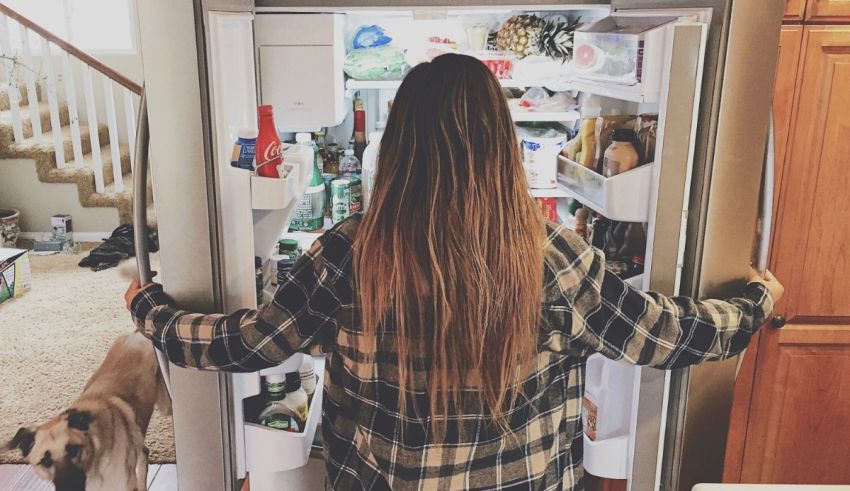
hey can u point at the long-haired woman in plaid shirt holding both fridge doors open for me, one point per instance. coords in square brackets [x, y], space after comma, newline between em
[456, 321]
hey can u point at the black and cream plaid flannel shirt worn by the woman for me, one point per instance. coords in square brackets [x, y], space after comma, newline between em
[368, 445]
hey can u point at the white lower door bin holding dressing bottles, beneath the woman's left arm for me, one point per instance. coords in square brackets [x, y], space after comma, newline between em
[267, 450]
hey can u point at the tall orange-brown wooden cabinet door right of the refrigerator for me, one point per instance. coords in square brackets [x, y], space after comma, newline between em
[799, 416]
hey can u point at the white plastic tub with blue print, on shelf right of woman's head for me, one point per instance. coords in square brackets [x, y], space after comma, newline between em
[540, 149]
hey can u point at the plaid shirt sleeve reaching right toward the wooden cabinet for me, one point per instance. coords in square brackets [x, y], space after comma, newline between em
[608, 316]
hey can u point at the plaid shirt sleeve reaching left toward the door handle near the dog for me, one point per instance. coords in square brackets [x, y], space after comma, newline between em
[299, 318]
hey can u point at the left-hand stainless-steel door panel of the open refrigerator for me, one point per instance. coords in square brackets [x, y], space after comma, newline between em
[185, 195]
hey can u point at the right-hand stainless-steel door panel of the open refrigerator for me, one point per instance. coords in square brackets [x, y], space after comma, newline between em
[720, 223]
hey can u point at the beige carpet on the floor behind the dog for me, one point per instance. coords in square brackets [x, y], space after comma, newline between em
[53, 338]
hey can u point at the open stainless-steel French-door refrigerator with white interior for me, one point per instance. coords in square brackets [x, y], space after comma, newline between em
[708, 72]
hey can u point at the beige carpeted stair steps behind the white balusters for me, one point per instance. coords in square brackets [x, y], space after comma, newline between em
[41, 150]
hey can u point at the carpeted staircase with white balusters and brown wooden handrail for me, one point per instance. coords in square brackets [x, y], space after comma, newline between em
[38, 122]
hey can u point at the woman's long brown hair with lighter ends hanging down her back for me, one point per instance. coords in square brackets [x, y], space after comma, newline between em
[451, 249]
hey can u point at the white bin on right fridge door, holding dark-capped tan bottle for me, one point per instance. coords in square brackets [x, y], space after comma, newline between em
[624, 197]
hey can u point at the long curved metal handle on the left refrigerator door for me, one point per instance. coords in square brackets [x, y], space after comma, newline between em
[140, 215]
